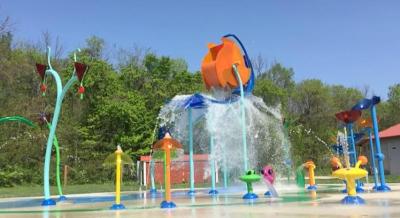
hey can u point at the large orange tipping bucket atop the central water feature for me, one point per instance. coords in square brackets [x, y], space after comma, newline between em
[216, 68]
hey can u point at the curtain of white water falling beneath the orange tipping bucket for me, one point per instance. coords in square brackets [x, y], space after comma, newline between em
[265, 136]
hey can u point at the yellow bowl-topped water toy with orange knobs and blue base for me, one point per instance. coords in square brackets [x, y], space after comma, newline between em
[350, 174]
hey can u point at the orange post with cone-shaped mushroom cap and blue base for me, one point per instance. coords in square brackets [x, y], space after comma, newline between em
[167, 145]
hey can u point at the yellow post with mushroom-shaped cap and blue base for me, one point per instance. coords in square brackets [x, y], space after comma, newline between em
[118, 159]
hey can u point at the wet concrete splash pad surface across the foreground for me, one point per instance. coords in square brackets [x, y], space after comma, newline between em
[291, 203]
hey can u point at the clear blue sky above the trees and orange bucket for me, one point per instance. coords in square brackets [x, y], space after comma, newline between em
[349, 42]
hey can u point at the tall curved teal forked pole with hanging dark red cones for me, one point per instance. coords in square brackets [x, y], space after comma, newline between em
[77, 76]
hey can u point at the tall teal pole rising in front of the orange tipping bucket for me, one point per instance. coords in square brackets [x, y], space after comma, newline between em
[243, 117]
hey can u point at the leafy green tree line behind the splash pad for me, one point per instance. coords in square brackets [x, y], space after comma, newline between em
[122, 101]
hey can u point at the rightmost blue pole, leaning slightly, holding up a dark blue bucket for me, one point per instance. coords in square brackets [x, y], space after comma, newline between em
[379, 155]
